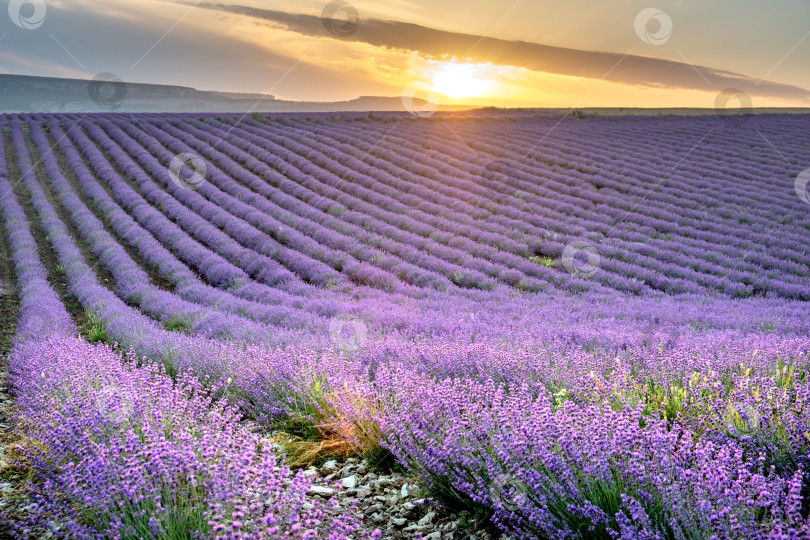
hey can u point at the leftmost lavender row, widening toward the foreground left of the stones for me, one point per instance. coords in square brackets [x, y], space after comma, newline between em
[96, 432]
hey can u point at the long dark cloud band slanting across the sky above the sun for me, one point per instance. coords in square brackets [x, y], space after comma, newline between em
[615, 67]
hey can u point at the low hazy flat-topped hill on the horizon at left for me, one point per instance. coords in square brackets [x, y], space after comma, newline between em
[23, 93]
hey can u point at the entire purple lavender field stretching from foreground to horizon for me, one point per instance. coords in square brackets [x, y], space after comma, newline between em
[559, 326]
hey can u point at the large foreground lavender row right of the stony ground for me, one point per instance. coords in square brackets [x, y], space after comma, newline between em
[557, 466]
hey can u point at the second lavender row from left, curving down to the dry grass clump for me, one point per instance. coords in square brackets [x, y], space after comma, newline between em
[262, 382]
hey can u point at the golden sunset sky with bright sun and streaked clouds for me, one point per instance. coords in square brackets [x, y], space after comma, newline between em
[509, 53]
